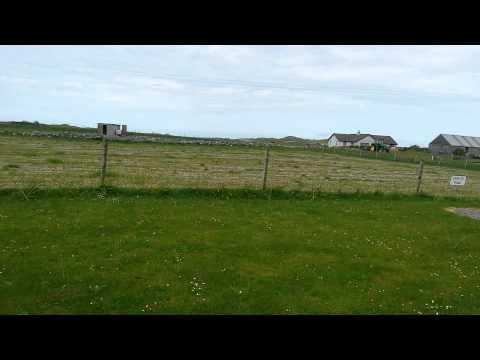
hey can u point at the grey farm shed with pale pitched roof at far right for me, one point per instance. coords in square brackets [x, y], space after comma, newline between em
[447, 144]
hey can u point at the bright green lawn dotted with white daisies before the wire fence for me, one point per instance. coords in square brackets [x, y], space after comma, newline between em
[235, 253]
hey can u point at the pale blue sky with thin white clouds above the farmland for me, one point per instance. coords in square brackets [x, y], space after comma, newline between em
[412, 93]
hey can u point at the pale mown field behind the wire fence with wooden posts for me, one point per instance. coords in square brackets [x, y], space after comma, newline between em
[54, 163]
